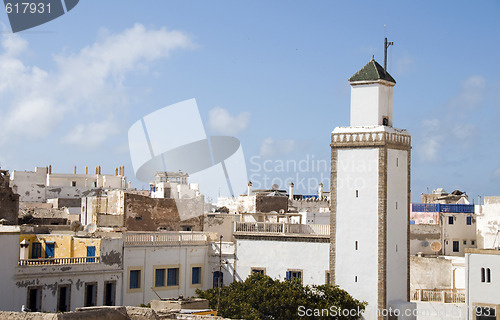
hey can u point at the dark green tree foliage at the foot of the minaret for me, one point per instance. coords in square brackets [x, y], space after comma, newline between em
[260, 297]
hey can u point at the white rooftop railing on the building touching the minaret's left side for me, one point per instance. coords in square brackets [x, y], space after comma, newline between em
[282, 228]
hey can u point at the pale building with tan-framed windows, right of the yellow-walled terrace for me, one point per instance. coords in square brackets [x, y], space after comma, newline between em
[172, 264]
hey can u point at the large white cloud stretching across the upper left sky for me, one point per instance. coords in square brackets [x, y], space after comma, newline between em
[81, 85]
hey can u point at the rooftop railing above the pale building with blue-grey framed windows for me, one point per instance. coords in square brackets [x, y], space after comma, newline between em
[164, 239]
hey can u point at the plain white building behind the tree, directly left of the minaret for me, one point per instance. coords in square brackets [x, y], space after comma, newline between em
[283, 251]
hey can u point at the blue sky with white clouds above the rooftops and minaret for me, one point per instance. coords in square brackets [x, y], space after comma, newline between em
[273, 74]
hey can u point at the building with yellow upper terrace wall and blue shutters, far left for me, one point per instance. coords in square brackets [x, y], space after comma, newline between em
[63, 279]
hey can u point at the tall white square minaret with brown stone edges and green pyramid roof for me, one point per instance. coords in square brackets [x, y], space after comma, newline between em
[370, 183]
